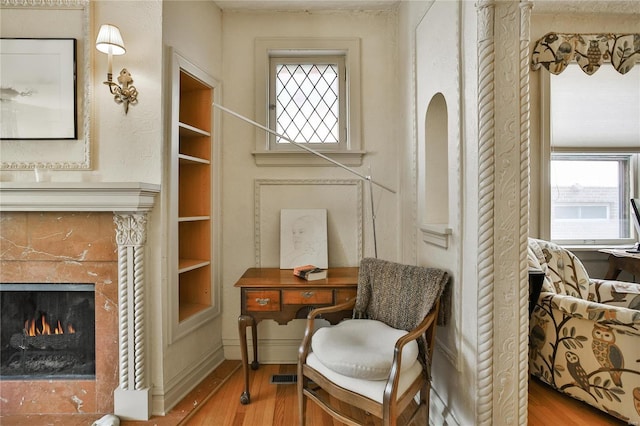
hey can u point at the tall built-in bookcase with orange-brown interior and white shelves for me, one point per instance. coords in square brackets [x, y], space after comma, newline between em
[192, 190]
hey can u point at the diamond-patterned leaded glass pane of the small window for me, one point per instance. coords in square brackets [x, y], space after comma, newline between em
[307, 102]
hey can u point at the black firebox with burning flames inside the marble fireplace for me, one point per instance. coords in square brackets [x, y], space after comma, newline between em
[47, 331]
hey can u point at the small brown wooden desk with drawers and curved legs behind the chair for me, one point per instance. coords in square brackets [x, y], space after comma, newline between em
[276, 294]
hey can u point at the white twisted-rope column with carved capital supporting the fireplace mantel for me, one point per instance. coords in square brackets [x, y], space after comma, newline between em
[132, 399]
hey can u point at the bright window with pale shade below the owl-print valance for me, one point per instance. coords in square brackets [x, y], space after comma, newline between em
[593, 146]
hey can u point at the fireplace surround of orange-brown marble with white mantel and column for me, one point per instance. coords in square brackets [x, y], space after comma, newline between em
[57, 232]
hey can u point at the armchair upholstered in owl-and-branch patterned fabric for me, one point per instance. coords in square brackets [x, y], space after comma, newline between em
[585, 334]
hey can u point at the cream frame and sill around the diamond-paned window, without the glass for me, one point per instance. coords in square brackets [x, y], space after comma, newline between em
[349, 153]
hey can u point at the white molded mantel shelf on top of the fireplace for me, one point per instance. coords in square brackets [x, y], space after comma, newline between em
[77, 196]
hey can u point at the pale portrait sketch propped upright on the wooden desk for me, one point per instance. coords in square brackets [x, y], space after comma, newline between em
[303, 238]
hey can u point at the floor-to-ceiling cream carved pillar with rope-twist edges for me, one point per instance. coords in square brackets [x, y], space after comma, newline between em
[503, 144]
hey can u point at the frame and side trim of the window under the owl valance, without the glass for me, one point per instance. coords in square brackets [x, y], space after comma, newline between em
[545, 173]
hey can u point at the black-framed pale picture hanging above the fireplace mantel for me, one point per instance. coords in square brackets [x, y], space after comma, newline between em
[38, 88]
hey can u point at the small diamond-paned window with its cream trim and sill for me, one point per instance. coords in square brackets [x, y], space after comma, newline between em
[308, 90]
